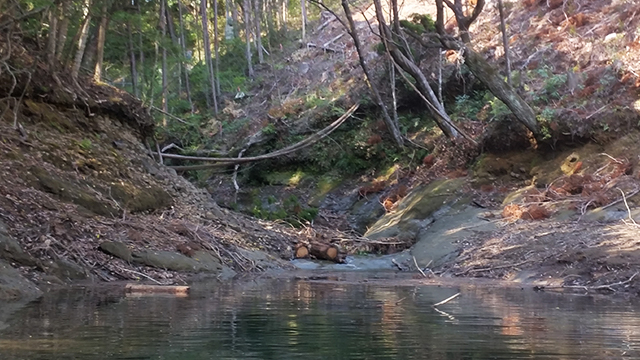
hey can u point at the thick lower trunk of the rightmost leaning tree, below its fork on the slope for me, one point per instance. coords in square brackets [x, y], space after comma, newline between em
[503, 91]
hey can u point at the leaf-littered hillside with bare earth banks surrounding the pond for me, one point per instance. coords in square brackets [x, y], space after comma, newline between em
[85, 196]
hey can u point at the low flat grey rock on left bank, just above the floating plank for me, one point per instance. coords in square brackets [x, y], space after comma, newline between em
[175, 261]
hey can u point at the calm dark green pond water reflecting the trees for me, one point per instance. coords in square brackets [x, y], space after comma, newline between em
[336, 317]
